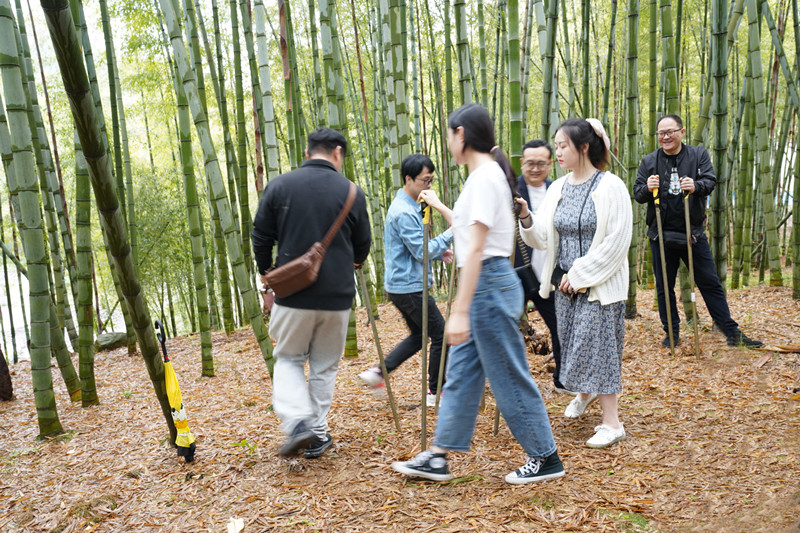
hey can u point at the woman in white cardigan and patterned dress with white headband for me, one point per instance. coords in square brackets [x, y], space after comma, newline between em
[585, 224]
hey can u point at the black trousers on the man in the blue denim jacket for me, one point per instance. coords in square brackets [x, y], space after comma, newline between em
[410, 307]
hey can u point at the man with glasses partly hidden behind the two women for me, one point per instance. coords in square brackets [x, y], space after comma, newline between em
[537, 160]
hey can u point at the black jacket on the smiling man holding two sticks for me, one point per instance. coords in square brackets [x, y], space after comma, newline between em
[692, 161]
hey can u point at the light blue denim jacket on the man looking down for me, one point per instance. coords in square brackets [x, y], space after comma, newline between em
[403, 245]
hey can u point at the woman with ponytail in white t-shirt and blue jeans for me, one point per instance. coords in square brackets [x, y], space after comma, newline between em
[483, 324]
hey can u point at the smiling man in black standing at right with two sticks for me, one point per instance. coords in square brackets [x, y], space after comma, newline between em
[677, 169]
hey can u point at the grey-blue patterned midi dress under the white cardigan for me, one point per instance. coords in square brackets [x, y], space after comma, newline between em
[591, 335]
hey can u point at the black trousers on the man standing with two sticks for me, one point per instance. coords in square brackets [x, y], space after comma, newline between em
[705, 277]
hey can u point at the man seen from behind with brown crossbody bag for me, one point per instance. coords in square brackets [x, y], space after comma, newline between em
[296, 210]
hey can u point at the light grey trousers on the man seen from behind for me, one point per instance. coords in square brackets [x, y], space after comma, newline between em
[314, 336]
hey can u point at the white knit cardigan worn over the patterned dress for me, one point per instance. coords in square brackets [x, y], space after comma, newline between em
[604, 267]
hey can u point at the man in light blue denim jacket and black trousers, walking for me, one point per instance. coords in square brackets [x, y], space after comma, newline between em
[403, 275]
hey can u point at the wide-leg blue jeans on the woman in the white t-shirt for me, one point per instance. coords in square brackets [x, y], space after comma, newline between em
[495, 351]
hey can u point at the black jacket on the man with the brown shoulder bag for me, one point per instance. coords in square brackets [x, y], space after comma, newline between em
[296, 210]
